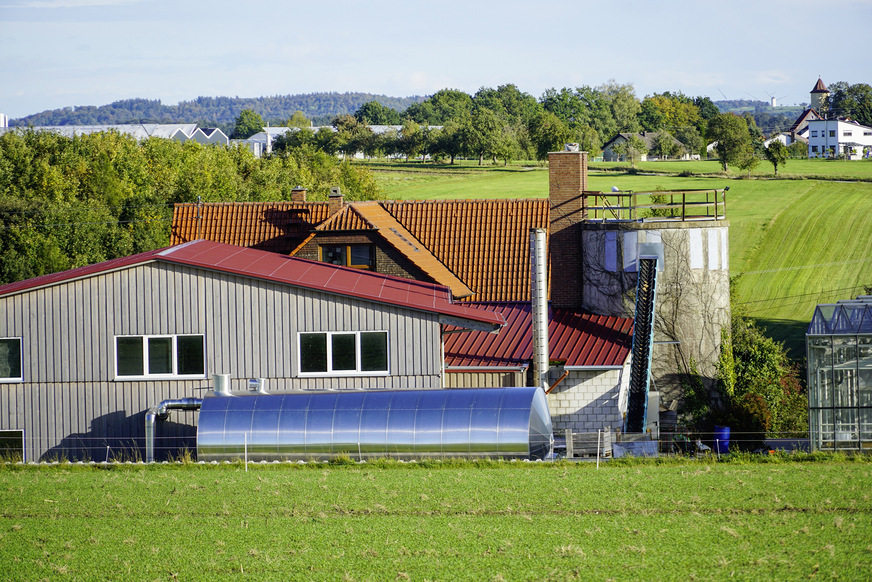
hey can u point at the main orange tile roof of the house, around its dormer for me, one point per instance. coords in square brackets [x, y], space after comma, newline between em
[483, 243]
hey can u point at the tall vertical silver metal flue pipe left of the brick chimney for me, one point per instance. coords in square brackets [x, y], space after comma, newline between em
[539, 293]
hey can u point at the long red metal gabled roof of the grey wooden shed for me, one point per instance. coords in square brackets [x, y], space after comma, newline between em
[269, 266]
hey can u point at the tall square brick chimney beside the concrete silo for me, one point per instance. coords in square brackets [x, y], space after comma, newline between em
[567, 180]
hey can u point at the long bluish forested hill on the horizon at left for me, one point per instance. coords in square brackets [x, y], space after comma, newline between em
[215, 111]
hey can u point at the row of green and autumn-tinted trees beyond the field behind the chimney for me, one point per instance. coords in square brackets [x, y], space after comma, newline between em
[506, 124]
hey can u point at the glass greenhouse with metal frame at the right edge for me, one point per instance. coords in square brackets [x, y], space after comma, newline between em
[839, 342]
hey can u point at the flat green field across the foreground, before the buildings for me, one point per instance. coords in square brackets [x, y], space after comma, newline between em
[682, 520]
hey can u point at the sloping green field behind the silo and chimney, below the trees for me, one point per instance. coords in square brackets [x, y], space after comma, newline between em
[794, 242]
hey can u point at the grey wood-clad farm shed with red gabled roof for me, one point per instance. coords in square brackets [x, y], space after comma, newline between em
[84, 353]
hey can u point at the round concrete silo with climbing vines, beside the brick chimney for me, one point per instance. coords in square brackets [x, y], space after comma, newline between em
[693, 295]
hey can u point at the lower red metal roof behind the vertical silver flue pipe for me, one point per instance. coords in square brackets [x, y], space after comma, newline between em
[579, 338]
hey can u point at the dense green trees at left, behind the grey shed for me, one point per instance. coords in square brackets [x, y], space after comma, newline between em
[67, 202]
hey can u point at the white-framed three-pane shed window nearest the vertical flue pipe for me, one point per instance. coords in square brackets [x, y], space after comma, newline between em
[356, 352]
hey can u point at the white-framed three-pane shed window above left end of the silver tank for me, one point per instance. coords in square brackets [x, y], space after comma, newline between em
[164, 356]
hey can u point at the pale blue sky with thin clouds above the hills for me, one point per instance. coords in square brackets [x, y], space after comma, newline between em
[60, 53]
